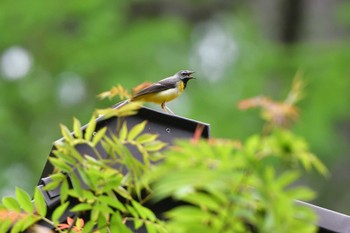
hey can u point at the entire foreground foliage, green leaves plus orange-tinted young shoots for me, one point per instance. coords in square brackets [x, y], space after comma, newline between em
[224, 185]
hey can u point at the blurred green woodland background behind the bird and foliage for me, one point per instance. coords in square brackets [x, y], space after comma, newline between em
[56, 56]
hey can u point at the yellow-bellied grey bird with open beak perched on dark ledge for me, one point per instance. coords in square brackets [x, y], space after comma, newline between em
[164, 90]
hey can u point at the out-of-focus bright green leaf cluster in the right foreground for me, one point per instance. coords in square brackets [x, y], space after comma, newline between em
[232, 188]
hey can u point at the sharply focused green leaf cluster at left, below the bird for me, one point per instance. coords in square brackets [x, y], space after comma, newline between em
[108, 196]
